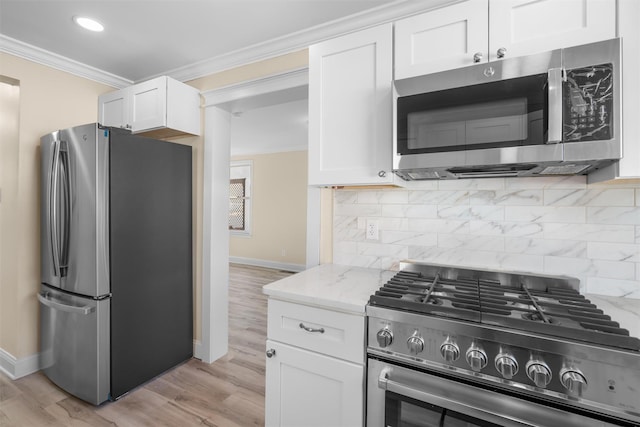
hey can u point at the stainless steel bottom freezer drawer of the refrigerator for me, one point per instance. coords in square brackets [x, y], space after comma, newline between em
[74, 341]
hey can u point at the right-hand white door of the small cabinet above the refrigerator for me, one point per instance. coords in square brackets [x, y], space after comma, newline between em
[149, 105]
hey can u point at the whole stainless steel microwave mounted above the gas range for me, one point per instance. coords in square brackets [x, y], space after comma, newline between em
[553, 113]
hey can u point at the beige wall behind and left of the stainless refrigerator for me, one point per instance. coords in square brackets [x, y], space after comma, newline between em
[49, 100]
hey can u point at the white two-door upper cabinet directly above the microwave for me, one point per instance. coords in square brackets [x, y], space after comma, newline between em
[486, 30]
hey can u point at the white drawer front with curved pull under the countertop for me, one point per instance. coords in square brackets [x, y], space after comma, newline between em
[324, 331]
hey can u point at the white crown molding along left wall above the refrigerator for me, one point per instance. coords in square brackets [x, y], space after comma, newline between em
[59, 62]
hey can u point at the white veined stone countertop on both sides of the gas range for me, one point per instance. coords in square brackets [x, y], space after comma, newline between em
[347, 289]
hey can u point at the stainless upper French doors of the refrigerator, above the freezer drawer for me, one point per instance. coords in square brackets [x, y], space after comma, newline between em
[74, 210]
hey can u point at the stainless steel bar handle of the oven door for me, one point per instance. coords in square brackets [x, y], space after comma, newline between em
[386, 383]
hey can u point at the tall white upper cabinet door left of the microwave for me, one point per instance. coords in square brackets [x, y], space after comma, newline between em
[350, 109]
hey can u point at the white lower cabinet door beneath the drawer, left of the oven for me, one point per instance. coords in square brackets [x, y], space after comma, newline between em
[308, 389]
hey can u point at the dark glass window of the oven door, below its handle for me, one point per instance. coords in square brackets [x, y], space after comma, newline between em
[402, 411]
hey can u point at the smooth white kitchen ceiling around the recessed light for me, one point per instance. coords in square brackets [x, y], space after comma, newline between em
[147, 38]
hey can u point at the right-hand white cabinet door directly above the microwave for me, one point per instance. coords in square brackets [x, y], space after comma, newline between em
[523, 27]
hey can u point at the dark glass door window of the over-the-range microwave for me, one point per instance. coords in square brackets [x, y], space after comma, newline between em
[503, 113]
